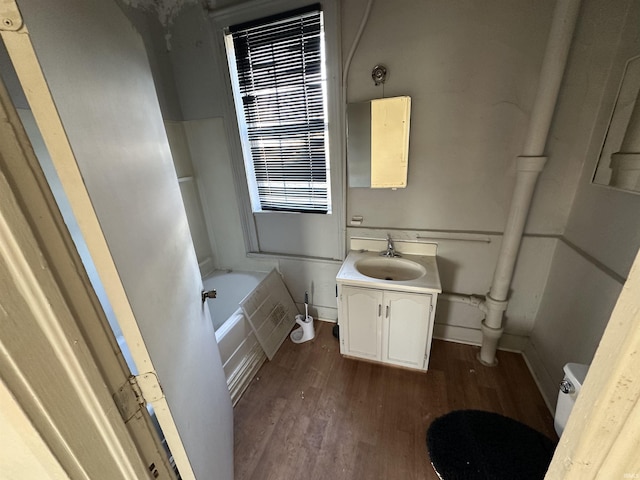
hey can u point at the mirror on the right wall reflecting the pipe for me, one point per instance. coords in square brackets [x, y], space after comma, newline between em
[619, 162]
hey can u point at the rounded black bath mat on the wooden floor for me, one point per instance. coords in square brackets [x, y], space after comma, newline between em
[472, 444]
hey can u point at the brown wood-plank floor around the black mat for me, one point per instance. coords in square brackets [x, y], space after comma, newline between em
[311, 414]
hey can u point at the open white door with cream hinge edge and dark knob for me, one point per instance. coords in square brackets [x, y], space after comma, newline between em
[86, 75]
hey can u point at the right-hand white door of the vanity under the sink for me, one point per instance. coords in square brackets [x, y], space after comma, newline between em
[406, 328]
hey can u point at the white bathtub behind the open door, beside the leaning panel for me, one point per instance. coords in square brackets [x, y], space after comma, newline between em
[240, 352]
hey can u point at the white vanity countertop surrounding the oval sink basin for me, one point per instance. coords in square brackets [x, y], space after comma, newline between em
[427, 283]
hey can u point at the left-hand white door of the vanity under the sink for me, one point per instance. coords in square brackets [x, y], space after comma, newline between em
[362, 325]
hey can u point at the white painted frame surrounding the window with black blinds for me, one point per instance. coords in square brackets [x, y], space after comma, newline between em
[252, 221]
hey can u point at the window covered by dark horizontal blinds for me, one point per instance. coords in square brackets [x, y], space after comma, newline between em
[277, 68]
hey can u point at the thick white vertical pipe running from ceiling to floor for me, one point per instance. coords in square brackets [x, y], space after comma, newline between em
[529, 166]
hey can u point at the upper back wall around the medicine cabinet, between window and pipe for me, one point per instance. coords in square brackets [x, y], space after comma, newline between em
[471, 69]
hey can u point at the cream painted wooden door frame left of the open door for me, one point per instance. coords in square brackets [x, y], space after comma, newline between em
[69, 368]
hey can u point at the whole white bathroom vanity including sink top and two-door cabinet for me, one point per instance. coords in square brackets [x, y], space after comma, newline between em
[387, 303]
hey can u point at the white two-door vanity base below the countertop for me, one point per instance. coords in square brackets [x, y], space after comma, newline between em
[387, 326]
